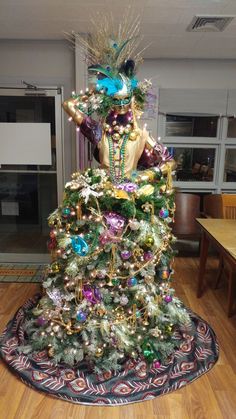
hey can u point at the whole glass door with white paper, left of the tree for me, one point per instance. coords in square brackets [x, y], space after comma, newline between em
[31, 171]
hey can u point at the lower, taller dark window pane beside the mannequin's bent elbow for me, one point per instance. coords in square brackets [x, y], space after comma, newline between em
[194, 164]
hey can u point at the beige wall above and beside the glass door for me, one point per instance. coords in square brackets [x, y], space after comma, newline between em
[43, 63]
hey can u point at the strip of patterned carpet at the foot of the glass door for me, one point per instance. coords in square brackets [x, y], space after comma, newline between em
[21, 272]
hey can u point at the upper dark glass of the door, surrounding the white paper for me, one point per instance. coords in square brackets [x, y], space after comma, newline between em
[30, 109]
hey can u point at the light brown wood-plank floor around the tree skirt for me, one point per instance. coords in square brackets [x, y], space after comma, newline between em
[211, 396]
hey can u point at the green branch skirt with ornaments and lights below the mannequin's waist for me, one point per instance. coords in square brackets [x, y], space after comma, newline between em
[107, 294]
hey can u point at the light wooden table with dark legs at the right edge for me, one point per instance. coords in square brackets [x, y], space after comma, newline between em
[222, 234]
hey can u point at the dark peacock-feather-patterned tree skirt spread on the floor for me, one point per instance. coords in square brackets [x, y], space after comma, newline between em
[135, 383]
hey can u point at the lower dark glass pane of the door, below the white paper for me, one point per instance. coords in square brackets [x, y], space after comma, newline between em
[26, 200]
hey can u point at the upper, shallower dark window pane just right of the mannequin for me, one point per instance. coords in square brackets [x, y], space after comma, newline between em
[191, 126]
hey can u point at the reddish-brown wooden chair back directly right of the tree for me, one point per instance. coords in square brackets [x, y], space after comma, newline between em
[187, 209]
